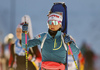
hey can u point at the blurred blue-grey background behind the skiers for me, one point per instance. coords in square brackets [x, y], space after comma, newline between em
[83, 22]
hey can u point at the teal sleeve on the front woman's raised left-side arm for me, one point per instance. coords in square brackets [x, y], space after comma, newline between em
[33, 42]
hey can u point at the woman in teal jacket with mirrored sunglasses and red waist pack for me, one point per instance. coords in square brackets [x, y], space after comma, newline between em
[53, 48]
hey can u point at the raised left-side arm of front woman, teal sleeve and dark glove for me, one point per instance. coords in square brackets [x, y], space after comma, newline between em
[33, 42]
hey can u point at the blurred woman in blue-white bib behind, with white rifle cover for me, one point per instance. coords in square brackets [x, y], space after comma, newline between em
[18, 53]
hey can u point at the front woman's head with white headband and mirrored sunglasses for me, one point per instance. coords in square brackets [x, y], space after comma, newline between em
[54, 21]
